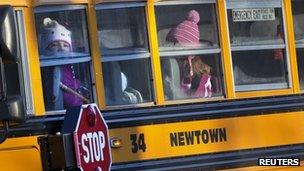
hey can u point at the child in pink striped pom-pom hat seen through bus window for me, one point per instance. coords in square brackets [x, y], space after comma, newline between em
[195, 75]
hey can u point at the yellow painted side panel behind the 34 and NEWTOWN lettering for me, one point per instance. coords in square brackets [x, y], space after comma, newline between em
[241, 133]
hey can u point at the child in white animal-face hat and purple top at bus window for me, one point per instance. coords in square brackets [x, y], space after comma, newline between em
[63, 88]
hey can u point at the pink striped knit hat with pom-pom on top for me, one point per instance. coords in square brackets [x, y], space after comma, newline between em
[187, 32]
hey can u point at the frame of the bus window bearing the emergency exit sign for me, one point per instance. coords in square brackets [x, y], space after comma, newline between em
[241, 90]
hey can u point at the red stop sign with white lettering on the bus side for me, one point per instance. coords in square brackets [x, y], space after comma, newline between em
[91, 140]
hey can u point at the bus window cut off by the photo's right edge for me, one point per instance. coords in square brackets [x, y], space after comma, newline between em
[298, 21]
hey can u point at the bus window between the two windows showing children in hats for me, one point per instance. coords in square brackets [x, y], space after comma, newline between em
[125, 53]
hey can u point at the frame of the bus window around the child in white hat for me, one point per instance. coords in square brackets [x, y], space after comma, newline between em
[45, 8]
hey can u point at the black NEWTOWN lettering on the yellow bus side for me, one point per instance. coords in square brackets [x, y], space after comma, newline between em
[204, 136]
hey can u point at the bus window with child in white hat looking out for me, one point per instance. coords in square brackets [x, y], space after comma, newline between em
[64, 56]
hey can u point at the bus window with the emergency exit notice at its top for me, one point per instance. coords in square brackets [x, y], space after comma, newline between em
[257, 43]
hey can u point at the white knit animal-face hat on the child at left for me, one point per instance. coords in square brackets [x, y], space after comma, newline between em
[52, 32]
